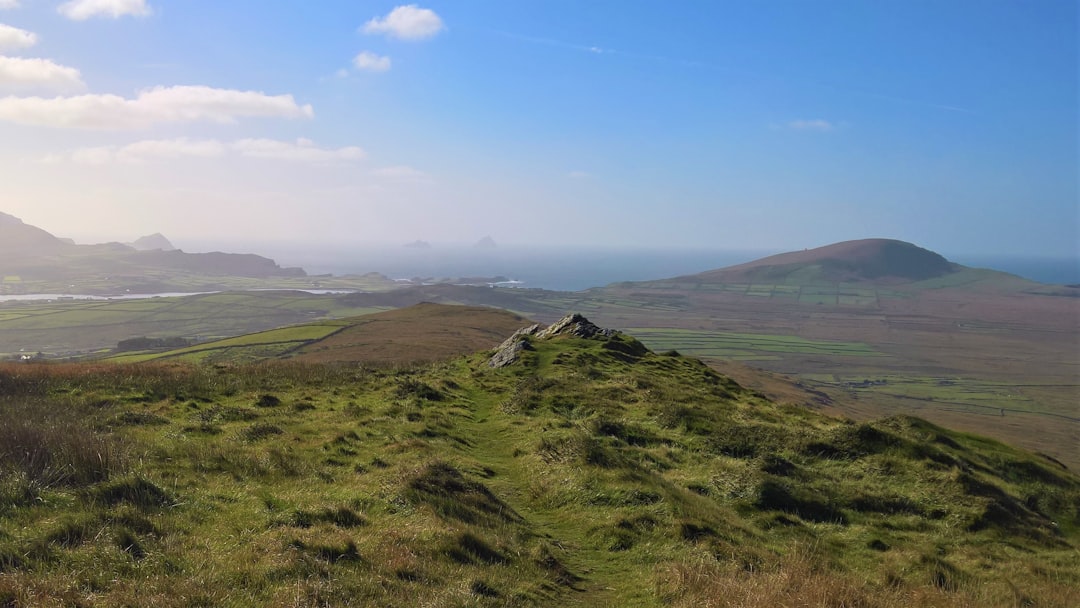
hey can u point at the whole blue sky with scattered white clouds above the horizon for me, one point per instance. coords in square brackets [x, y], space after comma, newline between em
[725, 125]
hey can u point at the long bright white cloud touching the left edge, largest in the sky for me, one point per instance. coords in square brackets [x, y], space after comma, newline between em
[154, 106]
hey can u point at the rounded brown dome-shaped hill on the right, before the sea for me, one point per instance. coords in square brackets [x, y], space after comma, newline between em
[869, 260]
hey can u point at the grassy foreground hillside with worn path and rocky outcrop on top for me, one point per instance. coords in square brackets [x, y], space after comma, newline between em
[583, 469]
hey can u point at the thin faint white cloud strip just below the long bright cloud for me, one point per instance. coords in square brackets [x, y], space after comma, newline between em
[302, 151]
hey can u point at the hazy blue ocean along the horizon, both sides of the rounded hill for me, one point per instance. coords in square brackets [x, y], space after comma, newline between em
[580, 268]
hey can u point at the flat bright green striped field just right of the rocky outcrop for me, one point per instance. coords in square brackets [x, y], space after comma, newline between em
[745, 347]
